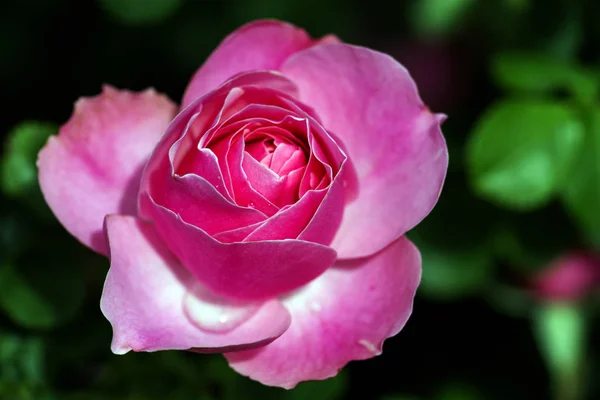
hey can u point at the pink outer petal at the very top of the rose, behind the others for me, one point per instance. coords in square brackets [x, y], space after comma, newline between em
[257, 45]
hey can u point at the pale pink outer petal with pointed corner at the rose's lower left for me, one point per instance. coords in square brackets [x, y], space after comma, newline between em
[144, 293]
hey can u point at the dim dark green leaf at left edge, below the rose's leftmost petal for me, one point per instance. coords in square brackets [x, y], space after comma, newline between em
[40, 294]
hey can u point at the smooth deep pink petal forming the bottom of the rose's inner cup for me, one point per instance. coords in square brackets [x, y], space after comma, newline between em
[250, 271]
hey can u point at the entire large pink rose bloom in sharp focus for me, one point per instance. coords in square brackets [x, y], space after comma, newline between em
[264, 217]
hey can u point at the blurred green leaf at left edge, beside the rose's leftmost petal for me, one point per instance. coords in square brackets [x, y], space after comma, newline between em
[17, 168]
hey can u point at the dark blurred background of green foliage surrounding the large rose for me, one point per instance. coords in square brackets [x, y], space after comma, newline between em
[508, 306]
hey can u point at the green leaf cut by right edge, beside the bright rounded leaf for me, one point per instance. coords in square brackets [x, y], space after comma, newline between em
[581, 194]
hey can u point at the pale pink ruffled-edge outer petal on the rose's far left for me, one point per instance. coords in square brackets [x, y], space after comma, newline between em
[93, 167]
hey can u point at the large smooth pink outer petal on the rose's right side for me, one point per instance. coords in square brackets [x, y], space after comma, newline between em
[394, 142]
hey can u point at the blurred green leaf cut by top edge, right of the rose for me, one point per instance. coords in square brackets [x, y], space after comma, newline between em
[437, 18]
